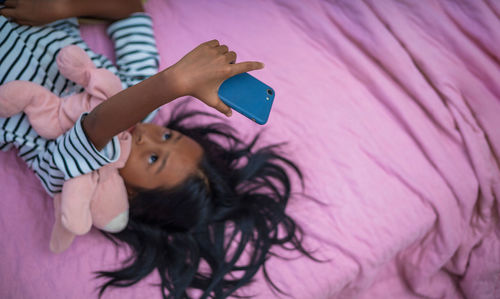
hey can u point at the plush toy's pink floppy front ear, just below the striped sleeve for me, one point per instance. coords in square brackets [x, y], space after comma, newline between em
[75, 203]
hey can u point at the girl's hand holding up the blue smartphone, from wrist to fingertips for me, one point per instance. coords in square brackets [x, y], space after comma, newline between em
[201, 72]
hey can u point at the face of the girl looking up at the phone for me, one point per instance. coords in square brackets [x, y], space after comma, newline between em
[160, 158]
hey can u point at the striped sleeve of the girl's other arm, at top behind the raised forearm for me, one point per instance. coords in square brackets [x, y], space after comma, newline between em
[135, 48]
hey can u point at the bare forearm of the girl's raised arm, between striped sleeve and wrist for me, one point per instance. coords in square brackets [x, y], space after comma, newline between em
[128, 107]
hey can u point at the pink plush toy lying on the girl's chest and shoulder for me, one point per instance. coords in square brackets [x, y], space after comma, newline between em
[99, 197]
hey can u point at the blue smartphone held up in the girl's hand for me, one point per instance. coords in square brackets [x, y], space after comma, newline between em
[249, 96]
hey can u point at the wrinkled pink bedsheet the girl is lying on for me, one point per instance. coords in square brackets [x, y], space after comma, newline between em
[392, 108]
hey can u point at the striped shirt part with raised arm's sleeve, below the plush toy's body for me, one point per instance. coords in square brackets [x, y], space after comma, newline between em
[55, 161]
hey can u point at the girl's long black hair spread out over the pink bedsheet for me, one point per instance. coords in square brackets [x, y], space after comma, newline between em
[215, 231]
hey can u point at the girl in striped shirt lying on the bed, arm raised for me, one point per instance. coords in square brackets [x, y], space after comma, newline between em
[186, 188]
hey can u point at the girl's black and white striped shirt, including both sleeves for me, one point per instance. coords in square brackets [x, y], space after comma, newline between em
[29, 53]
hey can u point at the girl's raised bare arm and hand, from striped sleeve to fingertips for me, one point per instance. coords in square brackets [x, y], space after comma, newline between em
[198, 74]
